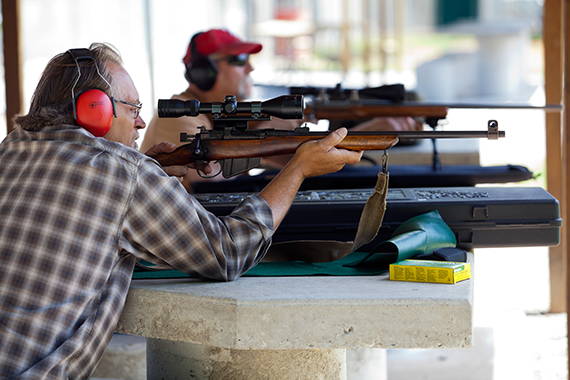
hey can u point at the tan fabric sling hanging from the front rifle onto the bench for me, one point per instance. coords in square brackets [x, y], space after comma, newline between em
[326, 250]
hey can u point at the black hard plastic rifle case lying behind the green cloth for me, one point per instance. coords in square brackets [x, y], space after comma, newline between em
[480, 217]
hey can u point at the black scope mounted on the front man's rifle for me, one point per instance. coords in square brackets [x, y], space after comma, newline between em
[284, 107]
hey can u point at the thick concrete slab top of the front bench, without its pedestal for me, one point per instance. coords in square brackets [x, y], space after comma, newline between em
[323, 312]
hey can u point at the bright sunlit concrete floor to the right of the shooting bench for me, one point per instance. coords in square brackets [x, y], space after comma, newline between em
[513, 336]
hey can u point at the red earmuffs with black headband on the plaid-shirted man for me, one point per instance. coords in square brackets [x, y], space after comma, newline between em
[93, 109]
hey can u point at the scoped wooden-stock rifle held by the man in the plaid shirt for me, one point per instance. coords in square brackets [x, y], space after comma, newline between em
[239, 149]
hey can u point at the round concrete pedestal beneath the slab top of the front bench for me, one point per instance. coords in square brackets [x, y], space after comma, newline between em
[180, 360]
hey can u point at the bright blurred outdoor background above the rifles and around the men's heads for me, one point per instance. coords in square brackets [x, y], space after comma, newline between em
[445, 50]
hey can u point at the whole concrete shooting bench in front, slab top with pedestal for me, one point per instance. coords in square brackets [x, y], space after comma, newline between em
[289, 327]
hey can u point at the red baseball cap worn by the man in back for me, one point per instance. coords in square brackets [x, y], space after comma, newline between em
[219, 41]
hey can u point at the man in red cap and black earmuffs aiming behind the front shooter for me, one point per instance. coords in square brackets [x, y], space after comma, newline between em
[217, 64]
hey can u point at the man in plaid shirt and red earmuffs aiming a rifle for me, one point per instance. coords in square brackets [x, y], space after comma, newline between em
[80, 205]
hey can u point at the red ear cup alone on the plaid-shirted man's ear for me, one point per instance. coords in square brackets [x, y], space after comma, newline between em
[95, 112]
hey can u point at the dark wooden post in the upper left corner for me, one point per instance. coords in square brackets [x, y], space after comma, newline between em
[12, 60]
